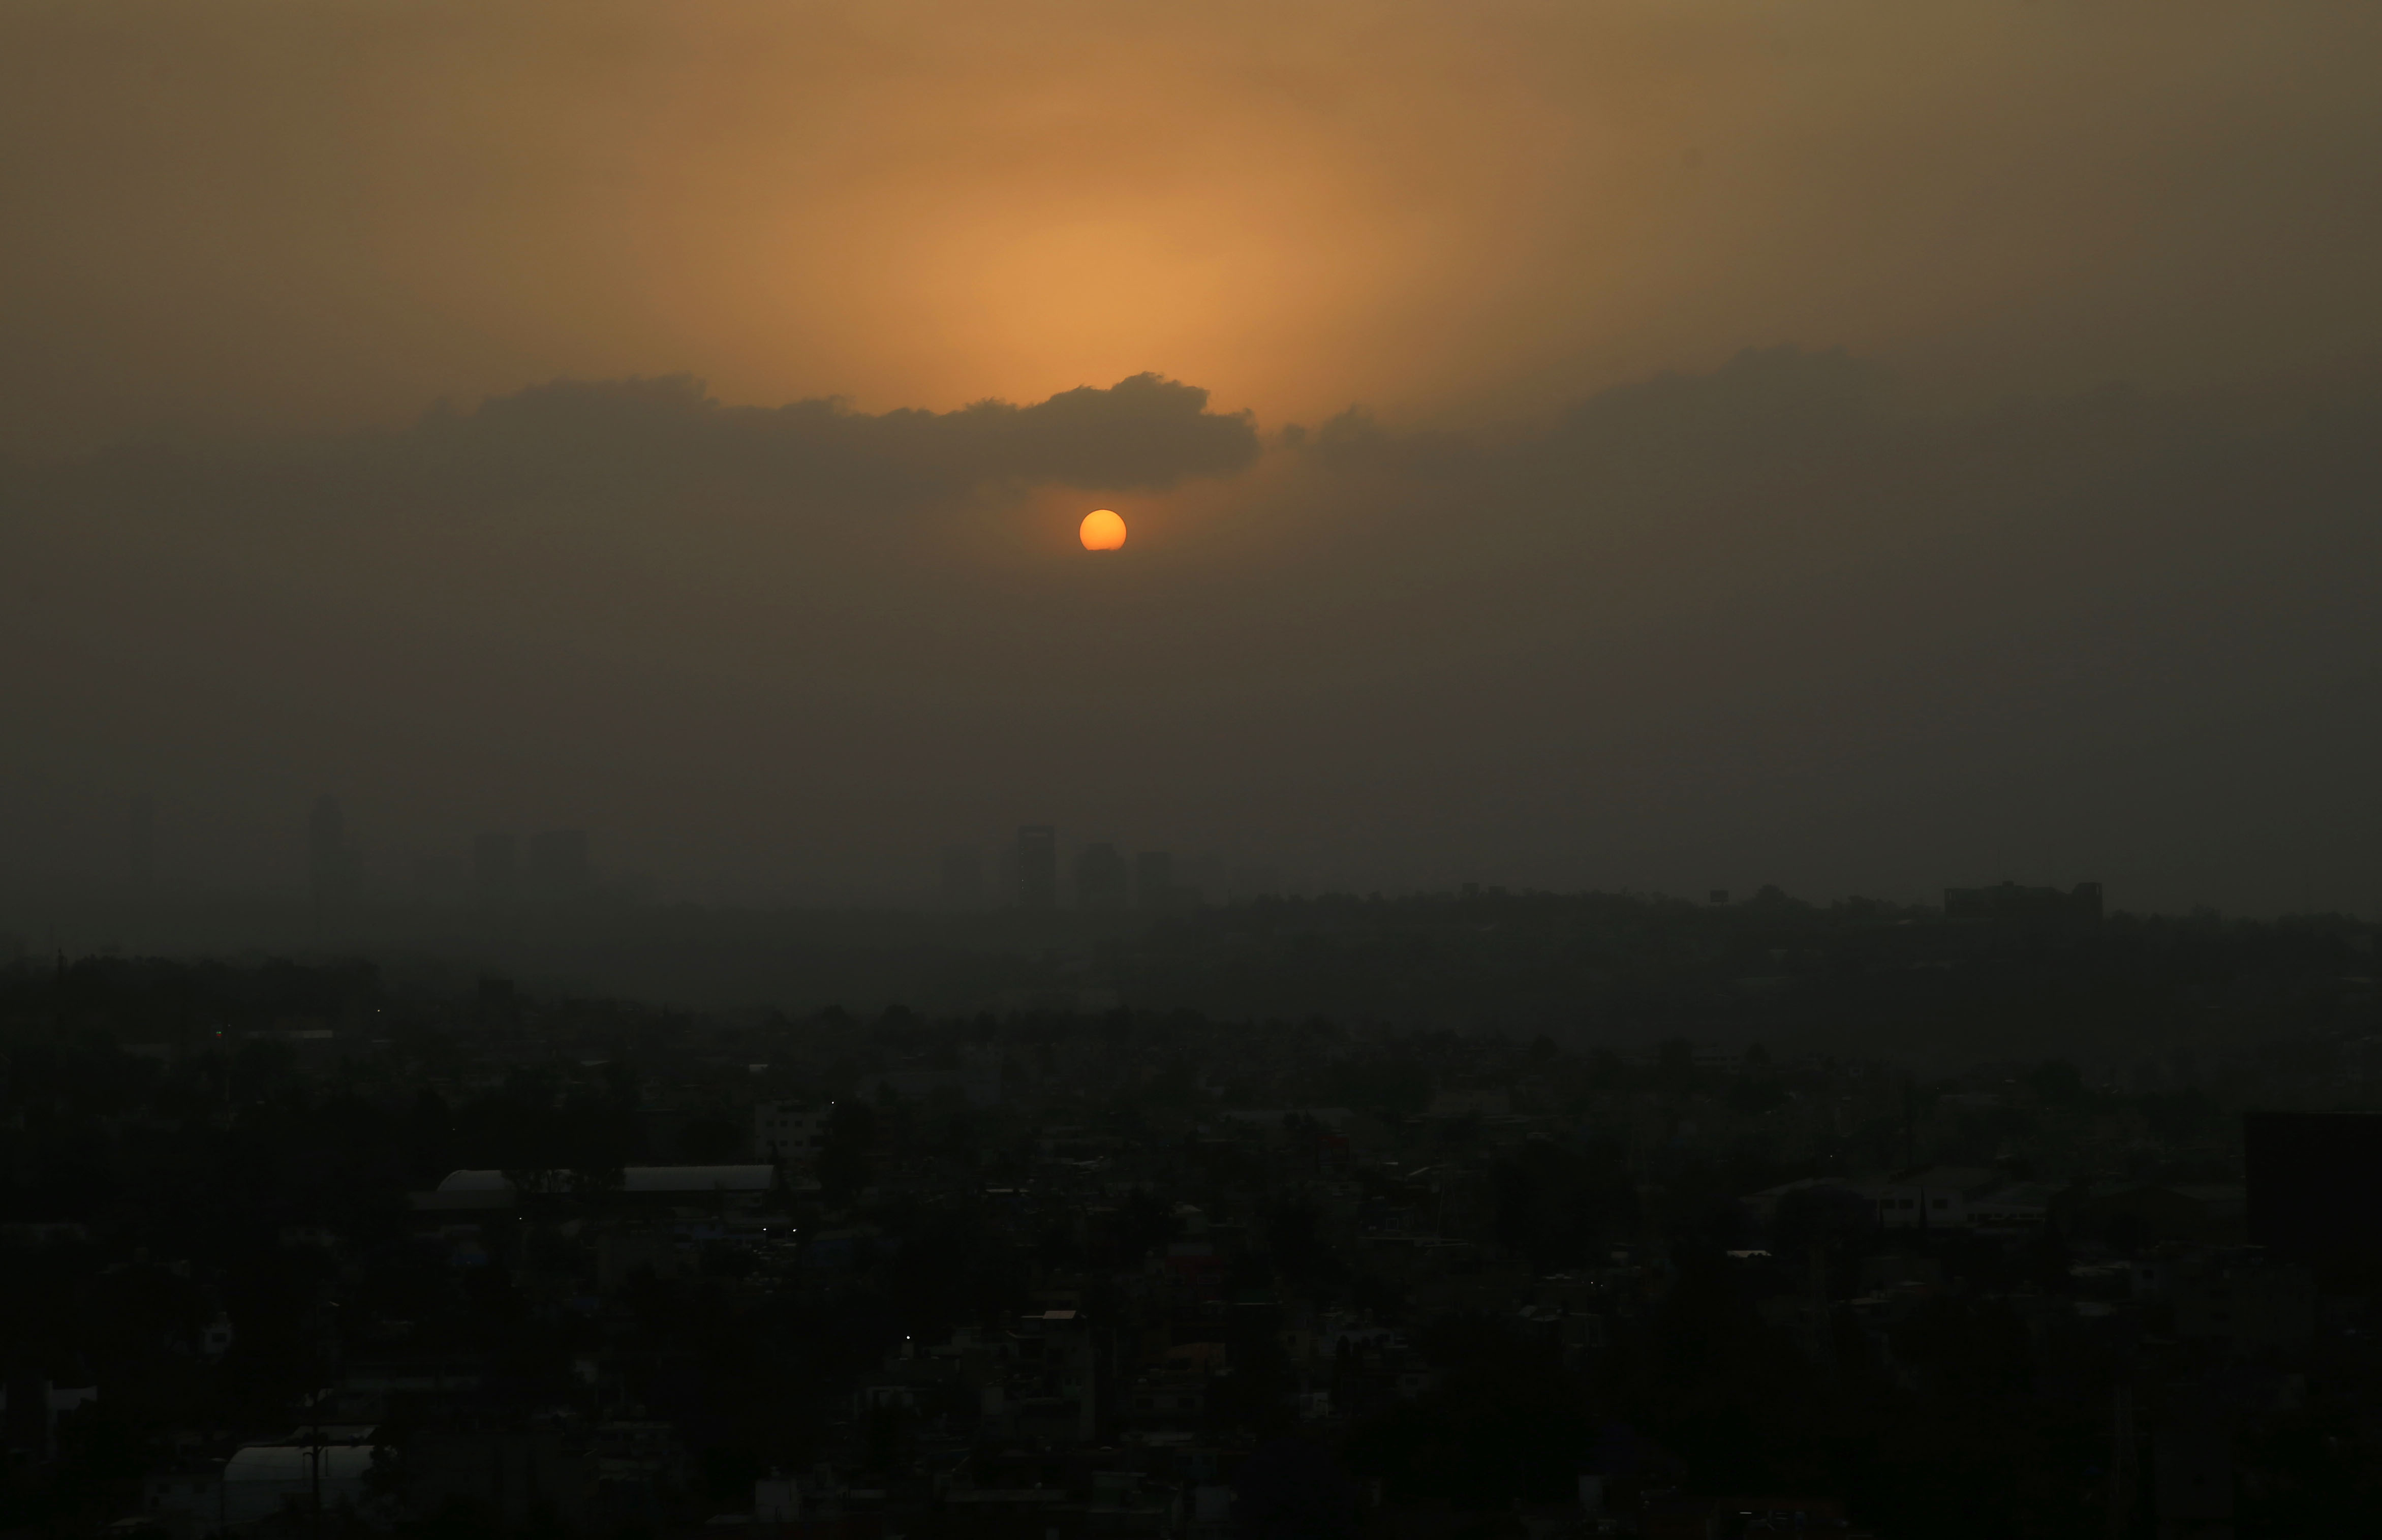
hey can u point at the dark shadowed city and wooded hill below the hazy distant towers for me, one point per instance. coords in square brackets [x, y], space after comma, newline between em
[1764, 1241]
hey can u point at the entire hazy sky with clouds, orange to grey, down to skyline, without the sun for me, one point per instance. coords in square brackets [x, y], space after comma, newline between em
[1859, 445]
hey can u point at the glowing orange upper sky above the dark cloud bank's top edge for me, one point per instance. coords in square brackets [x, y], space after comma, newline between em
[258, 213]
